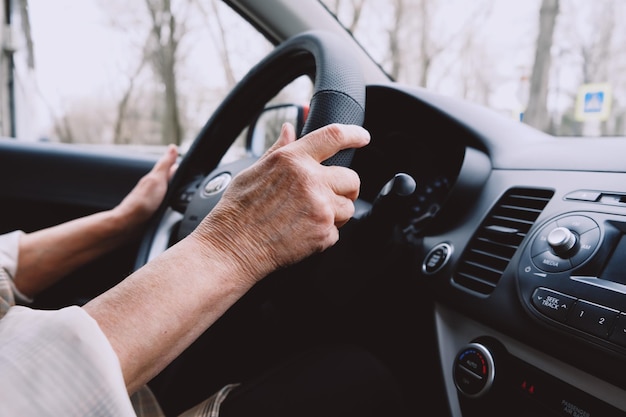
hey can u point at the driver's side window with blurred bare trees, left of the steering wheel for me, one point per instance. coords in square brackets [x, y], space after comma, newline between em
[118, 72]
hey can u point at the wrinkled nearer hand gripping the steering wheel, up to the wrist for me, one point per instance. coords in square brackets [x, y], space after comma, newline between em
[288, 205]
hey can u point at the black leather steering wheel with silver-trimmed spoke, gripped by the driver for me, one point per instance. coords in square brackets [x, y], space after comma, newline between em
[338, 97]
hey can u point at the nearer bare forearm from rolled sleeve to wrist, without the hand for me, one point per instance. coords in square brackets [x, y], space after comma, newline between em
[157, 312]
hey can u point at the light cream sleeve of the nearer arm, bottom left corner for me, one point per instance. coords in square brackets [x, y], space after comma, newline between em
[58, 363]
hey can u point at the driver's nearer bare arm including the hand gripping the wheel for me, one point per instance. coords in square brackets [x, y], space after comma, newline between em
[287, 199]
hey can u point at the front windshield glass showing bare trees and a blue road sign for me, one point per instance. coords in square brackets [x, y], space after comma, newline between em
[556, 65]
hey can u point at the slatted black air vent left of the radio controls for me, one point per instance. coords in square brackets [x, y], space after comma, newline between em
[494, 244]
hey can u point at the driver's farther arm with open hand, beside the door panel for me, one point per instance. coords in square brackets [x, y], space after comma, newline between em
[49, 254]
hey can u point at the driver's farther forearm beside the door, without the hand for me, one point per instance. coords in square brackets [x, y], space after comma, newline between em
[47, 255]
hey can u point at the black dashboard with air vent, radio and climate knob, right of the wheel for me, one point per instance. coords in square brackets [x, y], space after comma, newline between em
[525, 255]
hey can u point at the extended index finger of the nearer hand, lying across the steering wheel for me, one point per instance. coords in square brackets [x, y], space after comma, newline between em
[326, 141]
